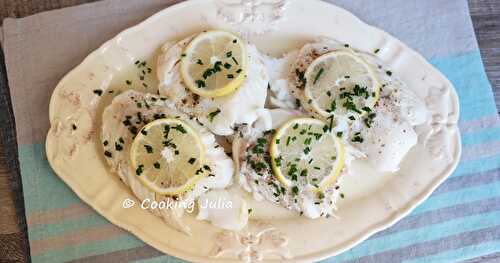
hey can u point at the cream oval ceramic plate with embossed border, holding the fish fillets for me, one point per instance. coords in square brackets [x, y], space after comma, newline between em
[76, 155]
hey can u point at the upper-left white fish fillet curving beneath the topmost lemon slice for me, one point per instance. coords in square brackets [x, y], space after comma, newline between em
[239, 107]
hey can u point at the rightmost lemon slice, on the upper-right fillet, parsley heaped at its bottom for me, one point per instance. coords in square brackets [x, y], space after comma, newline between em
[341, 83]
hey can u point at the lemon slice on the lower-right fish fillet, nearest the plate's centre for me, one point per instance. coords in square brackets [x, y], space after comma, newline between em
[304, 151]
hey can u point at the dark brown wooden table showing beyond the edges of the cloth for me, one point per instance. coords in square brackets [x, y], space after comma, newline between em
[13, 240]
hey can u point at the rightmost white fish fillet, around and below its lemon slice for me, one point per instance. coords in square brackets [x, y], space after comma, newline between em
[392, 133]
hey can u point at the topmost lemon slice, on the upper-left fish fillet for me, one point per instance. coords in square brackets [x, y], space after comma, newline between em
[214, 64]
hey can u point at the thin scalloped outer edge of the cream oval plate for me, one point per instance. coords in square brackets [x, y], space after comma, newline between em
[327, 253]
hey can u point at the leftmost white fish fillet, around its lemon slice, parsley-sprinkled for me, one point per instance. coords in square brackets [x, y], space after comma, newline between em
[114, 131]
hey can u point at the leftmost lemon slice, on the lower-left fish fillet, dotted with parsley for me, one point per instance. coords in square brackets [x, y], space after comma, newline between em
[167, 156]
